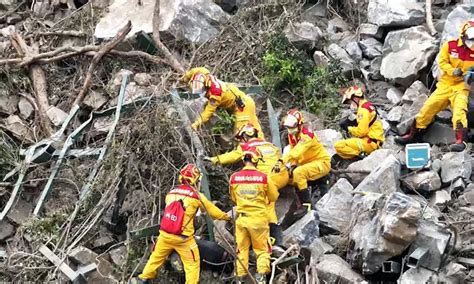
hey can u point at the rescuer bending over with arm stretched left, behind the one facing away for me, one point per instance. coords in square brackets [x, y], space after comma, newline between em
[247, 135]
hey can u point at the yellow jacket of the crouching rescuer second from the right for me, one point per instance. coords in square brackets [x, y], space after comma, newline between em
[368, 124]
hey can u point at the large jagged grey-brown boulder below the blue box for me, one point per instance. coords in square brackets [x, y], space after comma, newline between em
[383, 228]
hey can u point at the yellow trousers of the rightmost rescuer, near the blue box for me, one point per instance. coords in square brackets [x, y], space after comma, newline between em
[445, 95]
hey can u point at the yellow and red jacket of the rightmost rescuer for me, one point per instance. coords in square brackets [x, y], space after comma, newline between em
[454, 54]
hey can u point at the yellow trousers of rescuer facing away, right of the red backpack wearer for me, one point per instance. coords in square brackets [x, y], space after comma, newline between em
[252, 230]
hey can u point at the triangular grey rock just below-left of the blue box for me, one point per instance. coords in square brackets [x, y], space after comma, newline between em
[384, 179]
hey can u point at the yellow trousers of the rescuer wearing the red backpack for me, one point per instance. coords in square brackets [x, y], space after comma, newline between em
[187, 249]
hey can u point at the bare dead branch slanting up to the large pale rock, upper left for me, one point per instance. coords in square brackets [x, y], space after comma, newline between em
[119, 37]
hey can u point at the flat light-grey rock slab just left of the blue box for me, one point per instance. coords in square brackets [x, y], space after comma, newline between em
[368, 164]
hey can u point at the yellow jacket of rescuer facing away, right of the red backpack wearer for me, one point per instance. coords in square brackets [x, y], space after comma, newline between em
[252, 192]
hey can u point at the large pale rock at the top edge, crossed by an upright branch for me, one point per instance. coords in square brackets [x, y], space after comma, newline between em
[190, 20]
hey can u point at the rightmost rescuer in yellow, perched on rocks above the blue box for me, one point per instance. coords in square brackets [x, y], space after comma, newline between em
[456, 57]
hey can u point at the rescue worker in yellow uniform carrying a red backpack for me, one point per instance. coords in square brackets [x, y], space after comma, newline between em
[184, 244]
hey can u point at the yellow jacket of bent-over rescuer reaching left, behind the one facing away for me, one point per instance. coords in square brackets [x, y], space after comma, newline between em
[270, 154]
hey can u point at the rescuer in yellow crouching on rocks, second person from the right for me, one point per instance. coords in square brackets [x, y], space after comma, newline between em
[367, 134]
